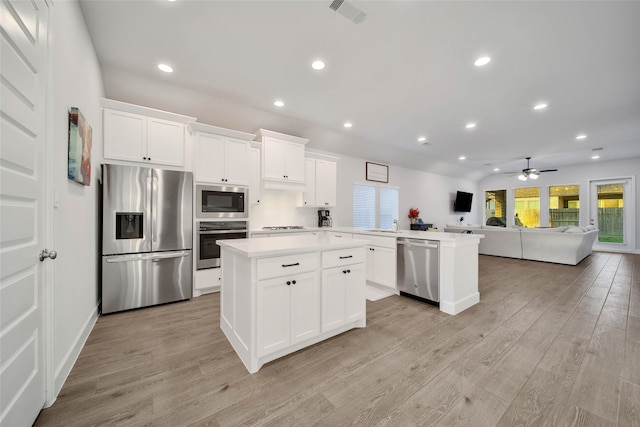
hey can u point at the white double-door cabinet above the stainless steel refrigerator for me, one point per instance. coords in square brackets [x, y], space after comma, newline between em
[139, 134]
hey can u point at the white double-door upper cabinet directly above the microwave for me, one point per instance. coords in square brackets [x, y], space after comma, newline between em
[221, 155]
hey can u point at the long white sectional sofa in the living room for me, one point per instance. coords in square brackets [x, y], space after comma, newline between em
[562, 245]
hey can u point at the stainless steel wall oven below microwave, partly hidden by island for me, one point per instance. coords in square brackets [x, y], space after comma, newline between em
[209, 232]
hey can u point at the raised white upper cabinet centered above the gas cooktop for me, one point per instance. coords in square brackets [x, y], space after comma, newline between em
[282, 160]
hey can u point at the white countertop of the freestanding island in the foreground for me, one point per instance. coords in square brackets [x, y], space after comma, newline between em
[283, 245]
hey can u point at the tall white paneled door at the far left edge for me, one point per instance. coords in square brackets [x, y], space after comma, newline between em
[24, 66]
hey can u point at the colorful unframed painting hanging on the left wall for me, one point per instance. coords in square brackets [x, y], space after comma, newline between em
[79, 148]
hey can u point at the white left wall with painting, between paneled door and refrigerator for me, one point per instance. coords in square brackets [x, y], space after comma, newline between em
[77, 82]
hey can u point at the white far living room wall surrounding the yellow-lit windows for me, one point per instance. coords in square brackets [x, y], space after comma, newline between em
[575, 174]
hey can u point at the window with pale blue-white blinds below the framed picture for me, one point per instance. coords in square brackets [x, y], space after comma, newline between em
[374, 206]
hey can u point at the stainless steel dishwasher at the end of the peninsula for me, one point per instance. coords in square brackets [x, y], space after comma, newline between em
[418, 269]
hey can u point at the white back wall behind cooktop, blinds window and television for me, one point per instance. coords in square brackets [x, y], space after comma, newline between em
[432, 194]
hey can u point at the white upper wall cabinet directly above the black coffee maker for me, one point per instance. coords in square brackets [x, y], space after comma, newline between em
[320, 183]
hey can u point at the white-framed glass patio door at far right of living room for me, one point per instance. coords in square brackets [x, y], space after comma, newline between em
[612, 211]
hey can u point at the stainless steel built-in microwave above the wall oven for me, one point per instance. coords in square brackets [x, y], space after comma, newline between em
[215, 201]
